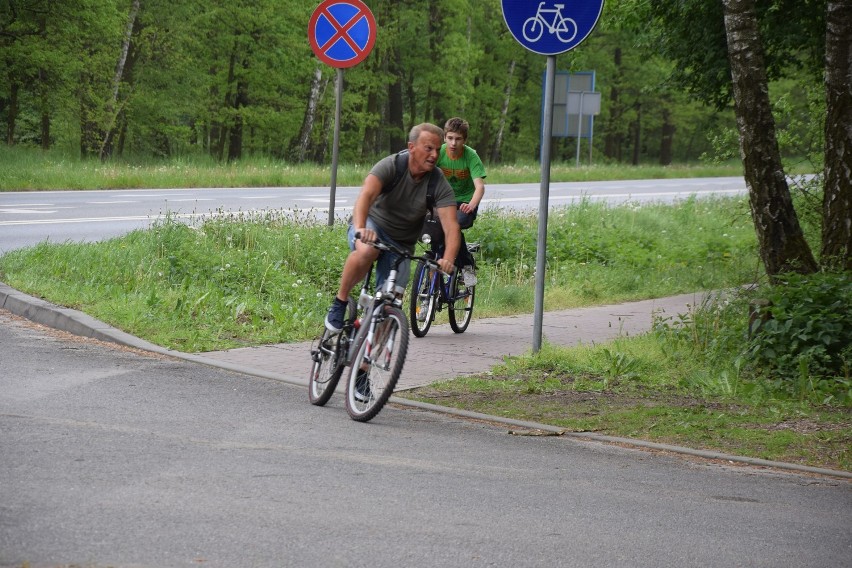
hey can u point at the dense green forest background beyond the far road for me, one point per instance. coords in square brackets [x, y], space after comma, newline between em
[233, 78]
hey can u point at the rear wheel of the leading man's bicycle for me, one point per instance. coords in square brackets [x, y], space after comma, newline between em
[329, 359]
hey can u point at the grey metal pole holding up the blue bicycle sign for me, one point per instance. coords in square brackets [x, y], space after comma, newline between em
[541, 247]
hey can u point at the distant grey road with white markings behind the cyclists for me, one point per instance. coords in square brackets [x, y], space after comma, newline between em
[27, 218]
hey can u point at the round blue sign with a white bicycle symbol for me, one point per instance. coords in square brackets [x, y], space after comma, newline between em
[553, 26]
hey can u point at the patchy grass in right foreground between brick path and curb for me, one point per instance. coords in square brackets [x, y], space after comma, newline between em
[639, 388]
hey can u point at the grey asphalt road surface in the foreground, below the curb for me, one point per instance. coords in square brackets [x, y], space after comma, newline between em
[123, 459]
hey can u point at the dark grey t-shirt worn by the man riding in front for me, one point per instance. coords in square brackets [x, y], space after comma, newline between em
[401, 211]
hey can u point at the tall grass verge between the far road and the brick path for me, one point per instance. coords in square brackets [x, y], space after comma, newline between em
[248, 279]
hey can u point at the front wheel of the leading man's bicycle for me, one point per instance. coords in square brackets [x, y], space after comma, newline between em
[383, 365]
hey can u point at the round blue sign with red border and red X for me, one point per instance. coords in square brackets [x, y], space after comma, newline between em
[342, 32]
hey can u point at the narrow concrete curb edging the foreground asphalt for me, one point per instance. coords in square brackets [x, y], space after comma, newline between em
[78, 323]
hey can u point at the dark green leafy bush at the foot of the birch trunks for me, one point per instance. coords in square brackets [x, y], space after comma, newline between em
[806, 342]
